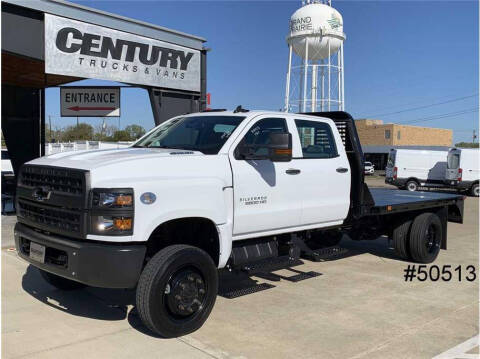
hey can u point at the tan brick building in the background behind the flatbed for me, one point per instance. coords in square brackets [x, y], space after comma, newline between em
[378, 138]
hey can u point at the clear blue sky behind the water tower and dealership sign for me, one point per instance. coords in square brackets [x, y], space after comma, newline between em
[398, 55]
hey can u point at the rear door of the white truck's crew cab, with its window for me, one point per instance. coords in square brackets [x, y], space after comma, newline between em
[324, 180]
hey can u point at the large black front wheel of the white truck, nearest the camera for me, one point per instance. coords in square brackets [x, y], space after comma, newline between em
[169, 302]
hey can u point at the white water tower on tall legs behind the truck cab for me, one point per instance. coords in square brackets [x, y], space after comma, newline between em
[315, 75]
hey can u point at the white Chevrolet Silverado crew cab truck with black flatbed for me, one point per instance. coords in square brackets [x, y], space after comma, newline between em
[212, 190]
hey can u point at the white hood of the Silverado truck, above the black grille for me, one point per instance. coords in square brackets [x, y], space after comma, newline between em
[89, 160]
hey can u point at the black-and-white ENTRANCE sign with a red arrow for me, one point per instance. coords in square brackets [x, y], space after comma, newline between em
[90, 101]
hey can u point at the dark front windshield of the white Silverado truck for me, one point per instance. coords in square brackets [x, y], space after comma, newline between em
[206, 134]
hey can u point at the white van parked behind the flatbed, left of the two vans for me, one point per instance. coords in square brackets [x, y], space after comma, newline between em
[410, 169]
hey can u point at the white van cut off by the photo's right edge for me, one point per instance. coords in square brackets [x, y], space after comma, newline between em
[463, 169]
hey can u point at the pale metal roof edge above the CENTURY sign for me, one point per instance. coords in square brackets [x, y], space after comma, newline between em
[113, 21]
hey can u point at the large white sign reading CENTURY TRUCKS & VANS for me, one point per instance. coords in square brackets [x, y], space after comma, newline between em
[80, 49]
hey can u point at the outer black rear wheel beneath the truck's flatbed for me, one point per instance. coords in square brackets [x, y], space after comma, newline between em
[425, 238]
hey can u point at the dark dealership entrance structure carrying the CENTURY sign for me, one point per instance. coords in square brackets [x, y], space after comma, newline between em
[49, 43]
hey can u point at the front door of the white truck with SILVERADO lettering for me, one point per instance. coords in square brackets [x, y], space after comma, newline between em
[265, 194]
